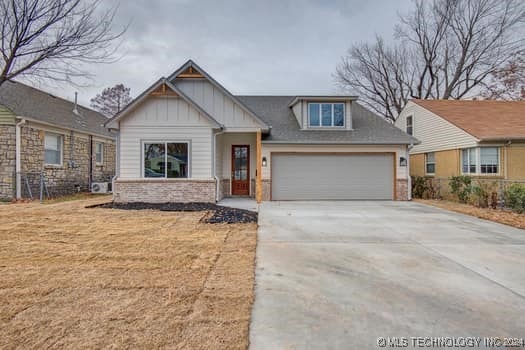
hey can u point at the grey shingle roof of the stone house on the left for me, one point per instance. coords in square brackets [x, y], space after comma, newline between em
[40, 106]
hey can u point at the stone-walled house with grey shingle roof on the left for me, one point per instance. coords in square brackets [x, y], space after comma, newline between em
[41, 133]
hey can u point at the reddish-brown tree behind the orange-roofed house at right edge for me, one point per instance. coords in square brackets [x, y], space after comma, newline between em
[507, 83]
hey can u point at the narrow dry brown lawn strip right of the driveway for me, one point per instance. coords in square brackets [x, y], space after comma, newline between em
[496, 215]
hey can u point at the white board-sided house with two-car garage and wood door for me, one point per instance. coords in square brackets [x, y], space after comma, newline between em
[268, 147]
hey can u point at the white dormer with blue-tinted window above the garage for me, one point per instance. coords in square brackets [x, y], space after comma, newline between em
[323, 112]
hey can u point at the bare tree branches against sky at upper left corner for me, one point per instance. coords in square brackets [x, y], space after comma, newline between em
[51, 39]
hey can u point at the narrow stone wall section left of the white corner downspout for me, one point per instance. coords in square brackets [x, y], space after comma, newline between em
[7, 161]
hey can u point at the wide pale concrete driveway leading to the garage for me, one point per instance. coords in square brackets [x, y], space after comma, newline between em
[338, 275]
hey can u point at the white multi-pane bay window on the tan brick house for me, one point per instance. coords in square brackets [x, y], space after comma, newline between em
[481, 160]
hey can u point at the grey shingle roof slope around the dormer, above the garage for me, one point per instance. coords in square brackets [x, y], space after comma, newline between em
[369, 128]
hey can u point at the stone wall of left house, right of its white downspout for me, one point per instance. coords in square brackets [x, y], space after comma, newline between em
[73, 174]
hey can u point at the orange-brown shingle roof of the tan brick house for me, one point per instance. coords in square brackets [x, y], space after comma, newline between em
[486, 119]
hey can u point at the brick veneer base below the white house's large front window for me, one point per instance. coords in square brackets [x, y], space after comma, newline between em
[163, 191]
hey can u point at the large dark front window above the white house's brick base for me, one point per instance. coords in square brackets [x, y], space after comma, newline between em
[166, 159]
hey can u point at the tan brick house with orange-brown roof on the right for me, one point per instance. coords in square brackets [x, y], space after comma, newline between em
[483, 139]
